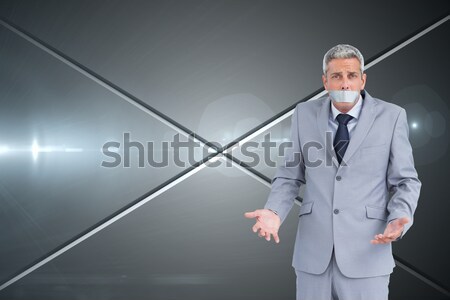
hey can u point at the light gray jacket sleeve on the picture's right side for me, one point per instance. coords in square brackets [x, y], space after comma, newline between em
[402, 180]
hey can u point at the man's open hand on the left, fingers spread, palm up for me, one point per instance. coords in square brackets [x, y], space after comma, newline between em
[267, 222]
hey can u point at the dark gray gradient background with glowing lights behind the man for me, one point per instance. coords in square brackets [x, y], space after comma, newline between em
[220, 69]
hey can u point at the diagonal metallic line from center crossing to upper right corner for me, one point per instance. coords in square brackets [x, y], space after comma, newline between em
[320, 92]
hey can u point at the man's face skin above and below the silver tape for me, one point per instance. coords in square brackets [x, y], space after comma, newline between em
[344, 74]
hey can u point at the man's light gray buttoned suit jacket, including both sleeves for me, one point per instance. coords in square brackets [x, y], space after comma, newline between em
[345, 206]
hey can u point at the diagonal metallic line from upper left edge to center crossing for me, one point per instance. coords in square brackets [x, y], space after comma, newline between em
[143, 106]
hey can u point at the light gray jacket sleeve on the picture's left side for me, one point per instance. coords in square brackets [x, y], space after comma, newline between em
[289, 176]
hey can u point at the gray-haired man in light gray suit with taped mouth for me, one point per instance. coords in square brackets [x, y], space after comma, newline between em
[352, 153]
